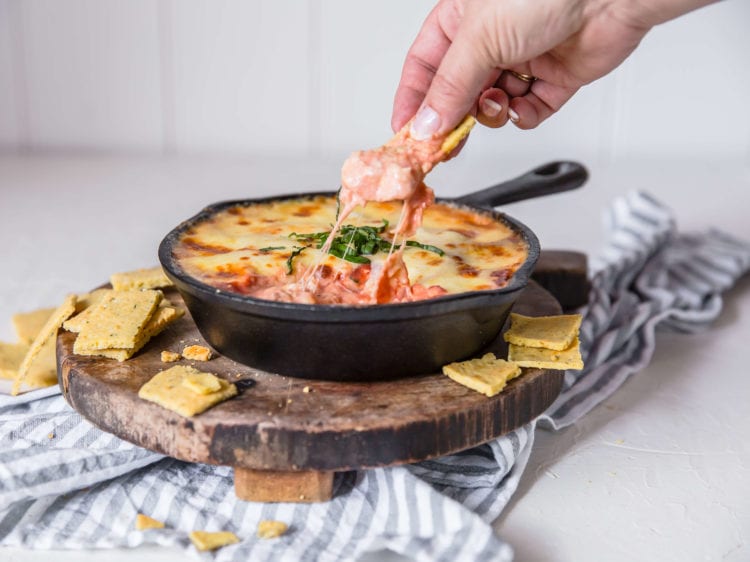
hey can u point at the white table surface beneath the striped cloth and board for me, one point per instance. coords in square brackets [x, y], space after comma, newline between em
[659, 471]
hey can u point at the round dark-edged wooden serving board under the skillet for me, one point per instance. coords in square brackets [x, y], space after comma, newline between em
[275, 425]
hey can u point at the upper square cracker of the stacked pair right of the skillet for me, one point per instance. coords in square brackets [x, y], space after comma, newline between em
[549, 332]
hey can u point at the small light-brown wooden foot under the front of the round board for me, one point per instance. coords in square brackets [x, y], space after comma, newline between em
[282, 486]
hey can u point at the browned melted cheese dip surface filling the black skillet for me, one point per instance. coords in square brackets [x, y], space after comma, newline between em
[246, 249]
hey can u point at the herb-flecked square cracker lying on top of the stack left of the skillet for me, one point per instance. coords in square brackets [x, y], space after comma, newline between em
[117, 321]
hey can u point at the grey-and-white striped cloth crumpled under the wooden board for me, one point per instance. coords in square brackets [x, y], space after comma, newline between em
[66, 484]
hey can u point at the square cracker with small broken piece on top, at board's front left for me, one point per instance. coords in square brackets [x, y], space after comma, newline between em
[167, 390]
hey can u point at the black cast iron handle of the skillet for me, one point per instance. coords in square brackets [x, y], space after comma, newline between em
[546, 179]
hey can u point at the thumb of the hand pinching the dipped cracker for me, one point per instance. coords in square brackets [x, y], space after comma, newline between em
[462, 75]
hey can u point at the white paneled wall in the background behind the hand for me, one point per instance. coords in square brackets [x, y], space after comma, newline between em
[318, 77]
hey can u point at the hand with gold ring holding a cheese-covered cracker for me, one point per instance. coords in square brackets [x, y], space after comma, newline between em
[468, 53]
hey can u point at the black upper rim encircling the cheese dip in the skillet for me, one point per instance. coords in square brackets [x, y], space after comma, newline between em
[331, 313]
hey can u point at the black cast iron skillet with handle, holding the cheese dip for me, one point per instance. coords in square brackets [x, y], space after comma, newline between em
[367, 343]
